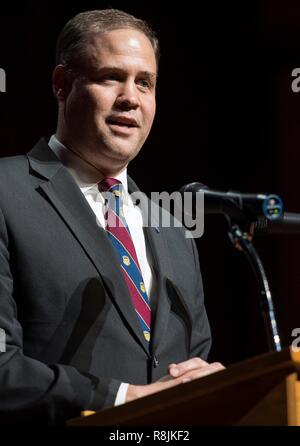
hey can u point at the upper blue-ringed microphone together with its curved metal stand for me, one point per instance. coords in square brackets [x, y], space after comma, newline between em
[241, 212]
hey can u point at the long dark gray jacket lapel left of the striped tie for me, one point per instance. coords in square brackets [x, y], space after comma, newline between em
[66, 197]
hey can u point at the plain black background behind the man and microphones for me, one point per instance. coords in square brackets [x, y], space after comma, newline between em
[227, 117]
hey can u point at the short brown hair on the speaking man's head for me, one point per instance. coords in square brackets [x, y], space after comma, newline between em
[72, 40]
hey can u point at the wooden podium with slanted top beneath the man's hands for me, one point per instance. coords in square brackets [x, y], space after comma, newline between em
[261, 391]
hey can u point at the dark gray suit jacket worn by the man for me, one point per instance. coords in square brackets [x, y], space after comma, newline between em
[72, 335]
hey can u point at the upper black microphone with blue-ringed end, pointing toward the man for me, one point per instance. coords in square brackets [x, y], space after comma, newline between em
[253, 206]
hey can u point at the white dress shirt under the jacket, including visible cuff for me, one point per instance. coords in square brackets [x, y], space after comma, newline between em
[87, 178]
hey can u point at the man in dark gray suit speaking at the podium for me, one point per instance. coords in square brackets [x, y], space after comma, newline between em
[74, 332]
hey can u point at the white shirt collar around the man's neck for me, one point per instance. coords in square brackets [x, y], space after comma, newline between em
[85, 175]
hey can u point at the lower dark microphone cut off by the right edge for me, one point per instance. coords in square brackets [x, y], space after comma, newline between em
[289, 224]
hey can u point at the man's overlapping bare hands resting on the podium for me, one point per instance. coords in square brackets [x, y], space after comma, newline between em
[178, 374]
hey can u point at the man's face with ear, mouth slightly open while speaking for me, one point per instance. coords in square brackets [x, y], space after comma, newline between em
[110, 110]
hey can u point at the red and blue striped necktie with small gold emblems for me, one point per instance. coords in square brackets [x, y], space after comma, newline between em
[119, 234]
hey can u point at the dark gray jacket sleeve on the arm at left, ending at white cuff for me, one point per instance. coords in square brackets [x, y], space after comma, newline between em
[30, 390]
